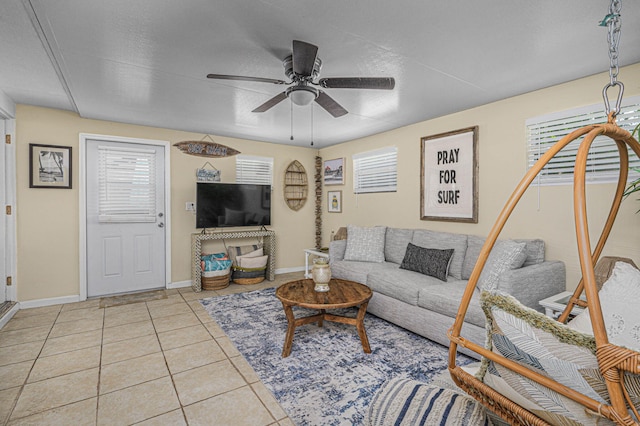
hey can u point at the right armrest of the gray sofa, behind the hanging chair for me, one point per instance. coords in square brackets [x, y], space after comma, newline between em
[533, 283]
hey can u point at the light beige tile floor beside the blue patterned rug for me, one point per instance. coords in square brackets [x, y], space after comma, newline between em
[161, 362]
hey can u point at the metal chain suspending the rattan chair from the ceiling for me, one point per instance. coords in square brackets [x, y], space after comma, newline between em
[613, 22]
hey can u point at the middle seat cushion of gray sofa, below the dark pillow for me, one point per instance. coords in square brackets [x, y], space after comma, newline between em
[400, 284]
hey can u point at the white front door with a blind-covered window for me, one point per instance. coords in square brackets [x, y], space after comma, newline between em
[125, 218]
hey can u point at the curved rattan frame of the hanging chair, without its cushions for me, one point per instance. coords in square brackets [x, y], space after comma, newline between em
[613, 360]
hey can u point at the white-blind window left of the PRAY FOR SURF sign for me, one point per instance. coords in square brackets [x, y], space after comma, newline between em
[375, 171]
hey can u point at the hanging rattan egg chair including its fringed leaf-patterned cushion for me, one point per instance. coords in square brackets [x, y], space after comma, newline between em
[536, 370]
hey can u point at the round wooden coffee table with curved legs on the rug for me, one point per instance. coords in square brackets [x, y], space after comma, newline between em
[341, 294]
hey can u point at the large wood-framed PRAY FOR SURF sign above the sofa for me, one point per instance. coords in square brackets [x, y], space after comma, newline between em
[449, 176]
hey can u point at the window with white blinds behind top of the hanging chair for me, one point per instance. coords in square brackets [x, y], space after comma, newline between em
[603, 160]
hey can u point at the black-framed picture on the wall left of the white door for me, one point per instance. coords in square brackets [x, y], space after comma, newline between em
[49, 166]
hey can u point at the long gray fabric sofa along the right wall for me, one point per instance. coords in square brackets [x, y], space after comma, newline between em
[427, 305]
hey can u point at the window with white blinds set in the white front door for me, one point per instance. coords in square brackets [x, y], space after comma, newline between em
[126, 185]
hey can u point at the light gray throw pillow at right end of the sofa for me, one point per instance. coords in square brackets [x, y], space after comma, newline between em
[506, 255]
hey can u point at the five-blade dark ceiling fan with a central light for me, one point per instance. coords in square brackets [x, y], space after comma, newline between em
[302, 67]
